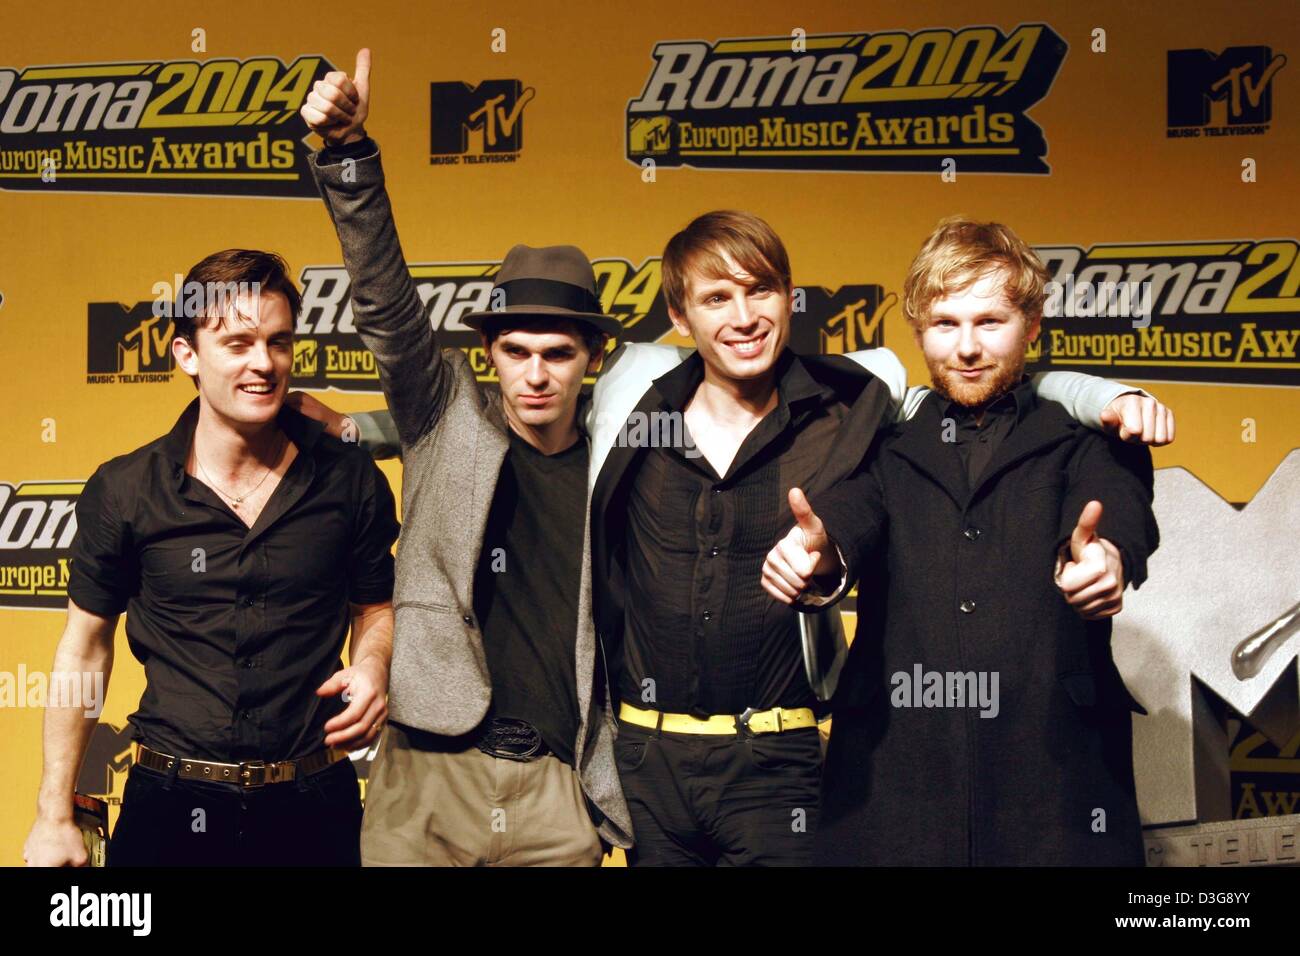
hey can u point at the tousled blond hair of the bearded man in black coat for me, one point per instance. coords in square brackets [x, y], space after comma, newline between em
[960, 253]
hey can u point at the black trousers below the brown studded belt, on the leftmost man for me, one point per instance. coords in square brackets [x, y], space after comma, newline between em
[166, 821]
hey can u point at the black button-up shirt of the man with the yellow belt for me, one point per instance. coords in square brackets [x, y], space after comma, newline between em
[699, 624]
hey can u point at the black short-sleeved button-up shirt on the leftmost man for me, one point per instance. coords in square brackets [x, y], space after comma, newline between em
[236, 626]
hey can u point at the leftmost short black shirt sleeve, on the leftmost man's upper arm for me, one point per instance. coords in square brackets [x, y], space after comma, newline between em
[106, 570]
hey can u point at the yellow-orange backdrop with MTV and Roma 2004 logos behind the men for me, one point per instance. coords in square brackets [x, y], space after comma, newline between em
[552, 166]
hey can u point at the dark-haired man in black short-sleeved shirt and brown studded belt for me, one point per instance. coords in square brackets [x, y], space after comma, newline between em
[242, 547]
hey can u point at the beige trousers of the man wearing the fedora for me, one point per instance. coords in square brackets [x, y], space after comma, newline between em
[430, 808]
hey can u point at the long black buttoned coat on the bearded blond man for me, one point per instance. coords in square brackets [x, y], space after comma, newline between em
[959, 582]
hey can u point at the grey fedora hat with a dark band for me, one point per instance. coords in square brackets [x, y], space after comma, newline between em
[551, 282]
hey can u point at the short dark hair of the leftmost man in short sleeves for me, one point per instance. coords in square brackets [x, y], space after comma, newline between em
[218, 278]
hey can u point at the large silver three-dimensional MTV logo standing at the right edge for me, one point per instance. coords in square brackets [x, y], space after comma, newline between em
[1214, 628]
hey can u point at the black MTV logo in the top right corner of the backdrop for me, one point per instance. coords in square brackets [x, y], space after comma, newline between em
[1234, 88]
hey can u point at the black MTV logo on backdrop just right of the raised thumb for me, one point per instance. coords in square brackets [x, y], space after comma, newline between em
[486, 119]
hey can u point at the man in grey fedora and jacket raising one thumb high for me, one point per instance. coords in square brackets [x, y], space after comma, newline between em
[500, 741]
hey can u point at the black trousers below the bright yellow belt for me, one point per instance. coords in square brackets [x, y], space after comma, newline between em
[710, 801]
